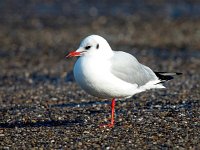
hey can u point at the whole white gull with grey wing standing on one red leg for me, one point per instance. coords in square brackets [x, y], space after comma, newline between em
[109, 74]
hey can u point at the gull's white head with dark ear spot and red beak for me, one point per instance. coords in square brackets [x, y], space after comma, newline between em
[92, 45]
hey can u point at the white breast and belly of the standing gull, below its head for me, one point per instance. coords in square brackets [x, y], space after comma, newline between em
[94, 76]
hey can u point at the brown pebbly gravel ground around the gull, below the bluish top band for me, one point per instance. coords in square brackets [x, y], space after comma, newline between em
[41, 107]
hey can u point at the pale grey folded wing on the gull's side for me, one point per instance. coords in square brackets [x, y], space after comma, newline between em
[126, 67]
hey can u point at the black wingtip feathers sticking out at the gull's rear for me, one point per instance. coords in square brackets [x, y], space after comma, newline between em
[165, 76]
